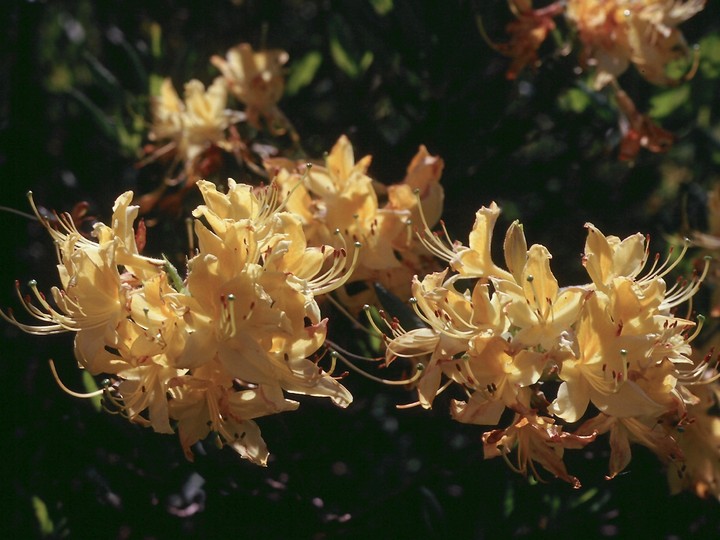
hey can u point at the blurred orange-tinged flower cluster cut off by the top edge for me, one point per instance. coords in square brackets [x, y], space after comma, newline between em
[613, 35]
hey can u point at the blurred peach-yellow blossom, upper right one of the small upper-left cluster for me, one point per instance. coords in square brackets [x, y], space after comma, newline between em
[255, 78]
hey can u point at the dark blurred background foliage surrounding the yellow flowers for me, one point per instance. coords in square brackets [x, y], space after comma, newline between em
[391, 74]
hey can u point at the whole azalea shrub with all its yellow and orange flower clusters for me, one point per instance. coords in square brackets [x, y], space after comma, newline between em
[211, 297]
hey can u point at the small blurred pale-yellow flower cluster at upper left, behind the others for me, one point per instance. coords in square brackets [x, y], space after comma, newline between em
[195, 134]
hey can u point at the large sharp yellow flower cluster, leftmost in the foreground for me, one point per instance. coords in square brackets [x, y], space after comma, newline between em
[214, 351]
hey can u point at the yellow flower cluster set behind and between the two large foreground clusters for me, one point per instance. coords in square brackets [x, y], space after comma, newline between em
[340, 196]
